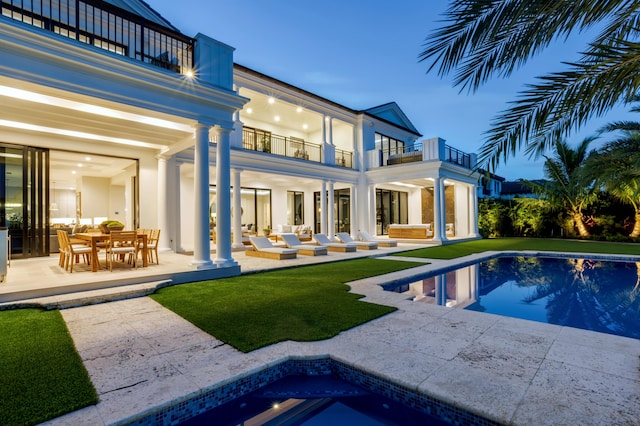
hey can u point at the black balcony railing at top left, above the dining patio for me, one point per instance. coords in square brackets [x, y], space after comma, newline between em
[107, 27]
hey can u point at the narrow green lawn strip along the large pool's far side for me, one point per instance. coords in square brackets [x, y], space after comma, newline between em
[452, 251]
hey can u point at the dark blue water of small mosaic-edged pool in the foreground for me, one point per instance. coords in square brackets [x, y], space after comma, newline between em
[310, 401]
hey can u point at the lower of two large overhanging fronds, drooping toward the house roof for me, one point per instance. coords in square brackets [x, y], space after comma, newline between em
[564, 101]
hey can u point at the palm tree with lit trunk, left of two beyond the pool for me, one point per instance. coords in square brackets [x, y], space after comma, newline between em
[567, 187]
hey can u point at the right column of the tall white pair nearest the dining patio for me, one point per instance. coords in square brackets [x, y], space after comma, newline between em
[223, 200]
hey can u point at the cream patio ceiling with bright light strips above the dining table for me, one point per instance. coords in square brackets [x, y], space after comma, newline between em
[55, 114]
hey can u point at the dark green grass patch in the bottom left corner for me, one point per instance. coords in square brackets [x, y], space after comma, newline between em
[41, 374]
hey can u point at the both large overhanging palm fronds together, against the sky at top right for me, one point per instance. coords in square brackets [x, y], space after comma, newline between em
[484, 38]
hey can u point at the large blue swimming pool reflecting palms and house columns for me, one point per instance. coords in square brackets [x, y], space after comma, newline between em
[591, 294]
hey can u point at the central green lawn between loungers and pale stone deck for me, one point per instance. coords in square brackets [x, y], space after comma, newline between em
[306, 303]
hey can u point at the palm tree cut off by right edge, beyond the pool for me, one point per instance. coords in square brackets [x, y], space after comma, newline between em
[616, 167]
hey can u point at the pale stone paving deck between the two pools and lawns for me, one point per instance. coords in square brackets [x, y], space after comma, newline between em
[141, 356]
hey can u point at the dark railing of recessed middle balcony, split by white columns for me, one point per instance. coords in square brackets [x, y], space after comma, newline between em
[289, 146]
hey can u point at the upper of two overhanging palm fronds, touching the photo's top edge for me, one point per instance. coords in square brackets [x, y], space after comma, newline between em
[494, 37]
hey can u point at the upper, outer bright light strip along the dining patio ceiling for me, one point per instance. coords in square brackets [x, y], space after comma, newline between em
[92, 109]
